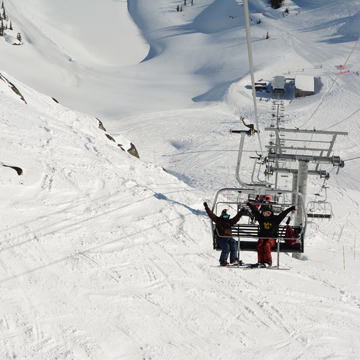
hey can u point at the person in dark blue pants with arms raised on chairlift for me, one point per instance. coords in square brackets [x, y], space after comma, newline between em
[227, 244]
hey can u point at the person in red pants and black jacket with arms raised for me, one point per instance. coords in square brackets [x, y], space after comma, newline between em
[269, 226]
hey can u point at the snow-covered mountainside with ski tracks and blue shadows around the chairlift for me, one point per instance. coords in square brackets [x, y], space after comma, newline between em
[106, 256]
